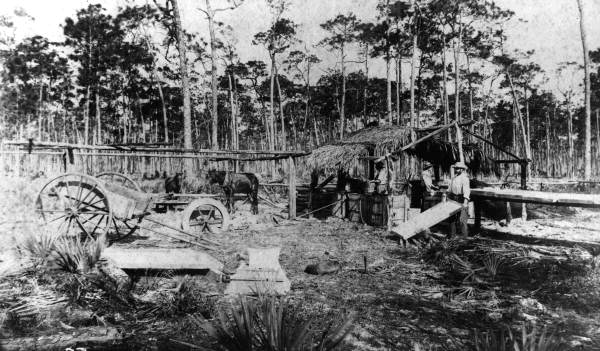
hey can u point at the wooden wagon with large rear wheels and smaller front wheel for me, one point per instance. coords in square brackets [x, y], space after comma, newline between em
[112, 205]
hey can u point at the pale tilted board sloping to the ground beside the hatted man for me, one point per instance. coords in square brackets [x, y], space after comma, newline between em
[427, 219]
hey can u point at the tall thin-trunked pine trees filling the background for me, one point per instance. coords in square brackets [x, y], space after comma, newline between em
[137, 76]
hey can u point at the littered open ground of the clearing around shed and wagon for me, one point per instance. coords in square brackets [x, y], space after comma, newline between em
[403, 300]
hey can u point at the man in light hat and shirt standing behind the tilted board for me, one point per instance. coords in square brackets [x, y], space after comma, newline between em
[459, 190]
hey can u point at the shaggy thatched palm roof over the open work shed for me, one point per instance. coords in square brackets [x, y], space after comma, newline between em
[378, 141]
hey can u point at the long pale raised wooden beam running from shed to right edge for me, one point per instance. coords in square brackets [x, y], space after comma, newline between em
[537, 197]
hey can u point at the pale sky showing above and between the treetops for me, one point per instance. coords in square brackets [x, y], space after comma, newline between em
[549, 27]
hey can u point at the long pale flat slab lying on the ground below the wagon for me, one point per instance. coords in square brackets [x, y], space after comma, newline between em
[162, 258]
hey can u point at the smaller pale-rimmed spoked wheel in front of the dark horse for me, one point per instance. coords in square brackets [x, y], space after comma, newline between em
[205, 215]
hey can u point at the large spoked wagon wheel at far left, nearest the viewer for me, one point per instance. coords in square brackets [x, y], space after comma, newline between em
[75, 204]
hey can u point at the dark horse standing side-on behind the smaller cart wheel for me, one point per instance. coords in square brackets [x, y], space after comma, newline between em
[233, 183]
